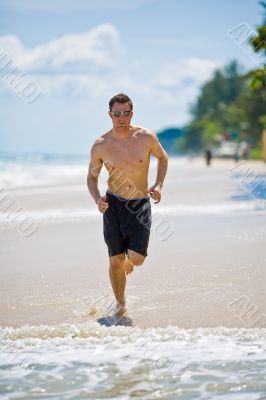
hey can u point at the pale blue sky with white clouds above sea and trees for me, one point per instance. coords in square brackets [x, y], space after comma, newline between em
[75, 55]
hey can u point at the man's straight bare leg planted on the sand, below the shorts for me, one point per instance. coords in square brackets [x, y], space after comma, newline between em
[117, 276]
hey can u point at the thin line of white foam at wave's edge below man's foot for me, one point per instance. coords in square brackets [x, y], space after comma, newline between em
[92, 329]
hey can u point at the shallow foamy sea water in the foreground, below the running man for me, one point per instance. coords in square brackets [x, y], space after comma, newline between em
[91, 361]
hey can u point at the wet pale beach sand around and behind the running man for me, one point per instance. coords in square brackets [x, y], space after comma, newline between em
[209, 272]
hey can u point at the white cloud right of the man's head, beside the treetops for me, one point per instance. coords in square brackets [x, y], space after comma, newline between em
[174, 88]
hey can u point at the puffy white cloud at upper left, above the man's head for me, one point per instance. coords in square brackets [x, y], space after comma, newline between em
[96, 48]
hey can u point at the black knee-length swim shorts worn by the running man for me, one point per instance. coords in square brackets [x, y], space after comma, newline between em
[127, 224]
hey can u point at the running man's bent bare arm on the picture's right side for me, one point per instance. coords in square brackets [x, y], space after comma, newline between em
[158, 151]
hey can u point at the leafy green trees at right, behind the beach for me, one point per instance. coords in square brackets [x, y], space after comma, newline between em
[231, 102]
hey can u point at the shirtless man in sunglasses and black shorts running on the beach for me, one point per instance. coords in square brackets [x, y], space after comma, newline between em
[125, 151]
